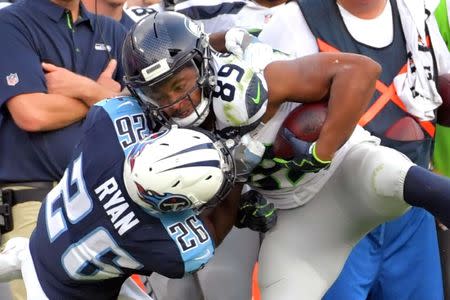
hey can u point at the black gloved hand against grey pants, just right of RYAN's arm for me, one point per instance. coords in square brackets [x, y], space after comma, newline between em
[255, 212]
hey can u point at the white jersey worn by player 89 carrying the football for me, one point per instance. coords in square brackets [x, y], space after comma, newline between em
[239, 102]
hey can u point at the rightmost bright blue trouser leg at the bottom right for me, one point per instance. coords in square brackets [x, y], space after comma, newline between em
[411, 265]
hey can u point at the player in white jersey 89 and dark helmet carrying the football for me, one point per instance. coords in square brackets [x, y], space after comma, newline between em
[349, 183]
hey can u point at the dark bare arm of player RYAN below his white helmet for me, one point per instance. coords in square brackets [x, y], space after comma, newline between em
[221, 218]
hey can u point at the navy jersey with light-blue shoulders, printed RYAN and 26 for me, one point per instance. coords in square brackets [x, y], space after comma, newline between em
[91, 236]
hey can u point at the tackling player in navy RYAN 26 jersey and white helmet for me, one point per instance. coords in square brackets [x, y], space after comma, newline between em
[130, 202]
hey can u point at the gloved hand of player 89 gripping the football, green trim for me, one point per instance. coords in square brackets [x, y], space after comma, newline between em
[305, 157]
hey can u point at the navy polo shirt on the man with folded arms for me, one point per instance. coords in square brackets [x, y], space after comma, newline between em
[35, 31]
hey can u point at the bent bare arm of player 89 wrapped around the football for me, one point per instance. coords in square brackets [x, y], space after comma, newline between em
[348, 80]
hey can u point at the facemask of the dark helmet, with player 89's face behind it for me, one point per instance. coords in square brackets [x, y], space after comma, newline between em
[160, 83]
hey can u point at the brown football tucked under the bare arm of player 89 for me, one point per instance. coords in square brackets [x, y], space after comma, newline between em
[305, 122]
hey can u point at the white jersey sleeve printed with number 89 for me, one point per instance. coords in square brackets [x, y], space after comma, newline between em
[240, 96]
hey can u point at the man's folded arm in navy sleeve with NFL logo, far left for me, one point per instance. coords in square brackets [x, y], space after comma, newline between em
[27, 97]
